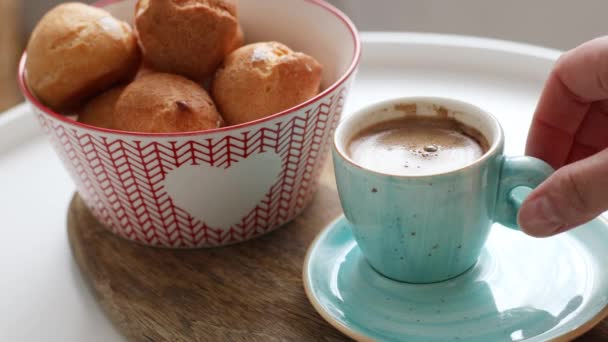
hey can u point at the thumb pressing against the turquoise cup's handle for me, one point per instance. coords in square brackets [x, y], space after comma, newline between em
[573, 195]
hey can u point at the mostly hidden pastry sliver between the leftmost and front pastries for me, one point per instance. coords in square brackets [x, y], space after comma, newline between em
[101, 110]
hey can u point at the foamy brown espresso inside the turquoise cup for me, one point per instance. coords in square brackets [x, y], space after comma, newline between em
[417, 145]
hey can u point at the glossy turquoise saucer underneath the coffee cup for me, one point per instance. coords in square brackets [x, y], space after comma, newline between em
[522, 288]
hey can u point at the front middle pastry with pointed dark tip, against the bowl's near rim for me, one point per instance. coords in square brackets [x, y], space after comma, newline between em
[164, 103]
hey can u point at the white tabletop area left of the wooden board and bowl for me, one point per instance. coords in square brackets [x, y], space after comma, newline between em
[42, 294]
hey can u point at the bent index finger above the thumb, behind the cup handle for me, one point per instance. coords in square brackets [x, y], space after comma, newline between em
[578, 79]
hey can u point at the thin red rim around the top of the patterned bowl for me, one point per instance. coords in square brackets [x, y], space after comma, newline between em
[352, 67]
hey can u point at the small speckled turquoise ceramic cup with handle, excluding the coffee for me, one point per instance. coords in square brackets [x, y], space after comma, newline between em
[429, 228]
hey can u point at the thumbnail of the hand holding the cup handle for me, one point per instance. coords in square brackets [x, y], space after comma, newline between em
[539, 217]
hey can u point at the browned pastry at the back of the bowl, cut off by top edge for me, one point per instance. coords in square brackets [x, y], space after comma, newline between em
[186, 37]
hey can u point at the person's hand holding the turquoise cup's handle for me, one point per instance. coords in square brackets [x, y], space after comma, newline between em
[570, 132]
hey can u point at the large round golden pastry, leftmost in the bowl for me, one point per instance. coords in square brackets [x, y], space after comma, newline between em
[76, 51]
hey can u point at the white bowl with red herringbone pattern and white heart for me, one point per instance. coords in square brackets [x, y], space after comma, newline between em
[212, 188]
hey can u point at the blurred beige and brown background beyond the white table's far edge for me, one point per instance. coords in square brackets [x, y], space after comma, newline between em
[558, 24]
